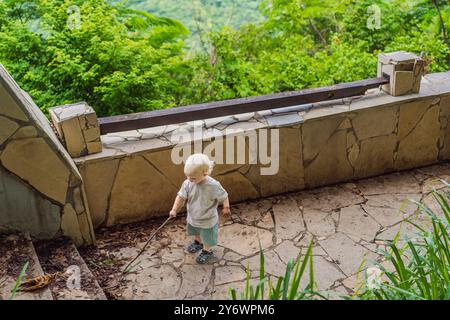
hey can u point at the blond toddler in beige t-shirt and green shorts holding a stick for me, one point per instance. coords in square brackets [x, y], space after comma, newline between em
[203, 195]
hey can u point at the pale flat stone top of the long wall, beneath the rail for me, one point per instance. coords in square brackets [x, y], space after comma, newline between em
[123, 144]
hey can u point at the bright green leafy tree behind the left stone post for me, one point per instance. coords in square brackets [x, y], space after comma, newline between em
[117, 59]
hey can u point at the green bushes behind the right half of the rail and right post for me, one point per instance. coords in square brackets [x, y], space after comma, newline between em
[313, 43]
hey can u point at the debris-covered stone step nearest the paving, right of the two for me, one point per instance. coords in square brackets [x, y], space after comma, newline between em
[76, 281]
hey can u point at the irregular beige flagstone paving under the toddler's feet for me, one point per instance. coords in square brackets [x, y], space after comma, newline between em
[347, 222]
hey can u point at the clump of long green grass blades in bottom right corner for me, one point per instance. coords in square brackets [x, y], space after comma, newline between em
[420, 270]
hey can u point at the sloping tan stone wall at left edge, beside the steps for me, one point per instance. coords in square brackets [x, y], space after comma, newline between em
[41, 189]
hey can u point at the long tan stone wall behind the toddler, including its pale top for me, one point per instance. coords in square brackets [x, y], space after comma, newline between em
[133, 178]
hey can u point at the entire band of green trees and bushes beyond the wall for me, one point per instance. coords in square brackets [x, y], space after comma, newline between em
[126, 56]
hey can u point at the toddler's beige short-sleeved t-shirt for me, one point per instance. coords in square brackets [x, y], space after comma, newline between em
[202, 201]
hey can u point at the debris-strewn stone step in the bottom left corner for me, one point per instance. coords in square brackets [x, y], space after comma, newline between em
[15, 250]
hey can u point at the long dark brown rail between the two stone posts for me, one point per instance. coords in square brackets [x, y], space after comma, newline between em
[214, 109]
